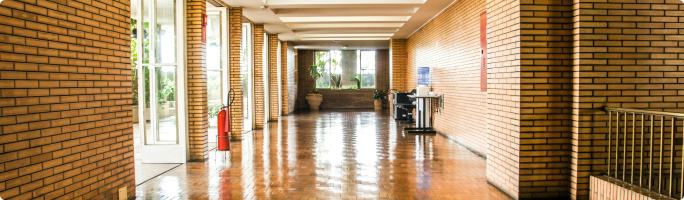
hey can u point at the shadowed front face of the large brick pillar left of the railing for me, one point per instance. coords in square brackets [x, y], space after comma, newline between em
[545, 98]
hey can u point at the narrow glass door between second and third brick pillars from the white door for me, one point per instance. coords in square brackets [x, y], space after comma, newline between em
[247, 64]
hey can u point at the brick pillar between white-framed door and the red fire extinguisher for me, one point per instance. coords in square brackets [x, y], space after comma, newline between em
[198, 121]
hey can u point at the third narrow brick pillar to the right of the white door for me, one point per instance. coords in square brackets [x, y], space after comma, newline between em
[259, 76]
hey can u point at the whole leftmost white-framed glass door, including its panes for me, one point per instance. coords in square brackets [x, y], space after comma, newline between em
[161, 86]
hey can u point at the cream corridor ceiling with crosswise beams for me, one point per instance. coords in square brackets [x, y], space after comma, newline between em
[331, 24]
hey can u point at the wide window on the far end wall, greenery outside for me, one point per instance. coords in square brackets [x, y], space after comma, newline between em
[347, 69]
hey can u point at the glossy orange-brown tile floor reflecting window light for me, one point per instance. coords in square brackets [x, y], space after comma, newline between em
[331, 154]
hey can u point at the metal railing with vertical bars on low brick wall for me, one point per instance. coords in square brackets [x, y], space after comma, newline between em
[647, 141]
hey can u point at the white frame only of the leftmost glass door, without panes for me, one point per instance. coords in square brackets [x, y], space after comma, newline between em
[165, 153]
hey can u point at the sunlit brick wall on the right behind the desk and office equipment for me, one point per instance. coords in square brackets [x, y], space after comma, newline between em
[456, 76]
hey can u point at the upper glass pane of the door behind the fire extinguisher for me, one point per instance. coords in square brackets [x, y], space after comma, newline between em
[214, 42]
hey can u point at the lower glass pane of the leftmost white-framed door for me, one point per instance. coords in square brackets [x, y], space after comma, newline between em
[161, 106]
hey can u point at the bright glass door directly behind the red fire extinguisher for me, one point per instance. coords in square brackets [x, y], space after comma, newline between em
[217, 62]
